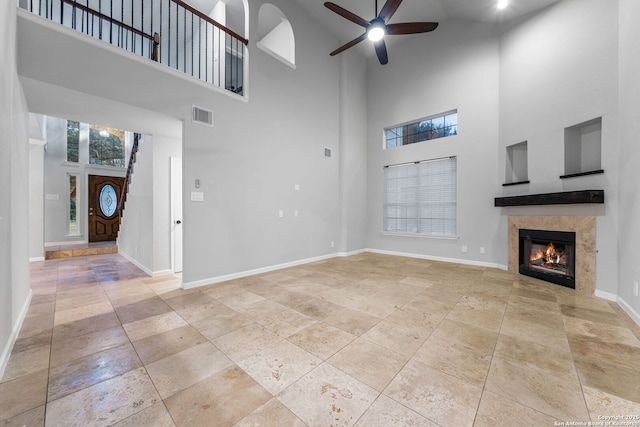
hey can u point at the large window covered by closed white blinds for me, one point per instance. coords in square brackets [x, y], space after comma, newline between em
[420, 198]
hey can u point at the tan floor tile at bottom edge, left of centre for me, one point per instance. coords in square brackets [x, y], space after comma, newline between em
[218, 401]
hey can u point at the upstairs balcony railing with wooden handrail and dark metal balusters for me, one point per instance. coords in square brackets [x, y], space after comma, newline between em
[170, 32]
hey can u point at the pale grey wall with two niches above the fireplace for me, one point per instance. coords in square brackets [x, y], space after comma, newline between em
[555, 72]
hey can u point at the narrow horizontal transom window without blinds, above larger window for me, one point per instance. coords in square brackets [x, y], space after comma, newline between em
[439, 126]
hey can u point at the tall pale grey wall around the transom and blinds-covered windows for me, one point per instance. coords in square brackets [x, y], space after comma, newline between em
[453, 67]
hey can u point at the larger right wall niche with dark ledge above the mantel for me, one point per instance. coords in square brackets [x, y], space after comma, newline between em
[583, 149]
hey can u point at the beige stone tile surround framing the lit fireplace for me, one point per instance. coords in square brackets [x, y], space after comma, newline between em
[585, 229]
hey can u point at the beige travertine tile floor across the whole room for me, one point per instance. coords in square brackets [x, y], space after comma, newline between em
[369, 340]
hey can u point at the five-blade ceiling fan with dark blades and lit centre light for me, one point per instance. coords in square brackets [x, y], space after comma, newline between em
[377, 28]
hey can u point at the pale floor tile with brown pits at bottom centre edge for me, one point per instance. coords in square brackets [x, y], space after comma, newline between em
[339, 399]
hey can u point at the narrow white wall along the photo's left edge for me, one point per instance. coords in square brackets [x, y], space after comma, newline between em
[14, 180]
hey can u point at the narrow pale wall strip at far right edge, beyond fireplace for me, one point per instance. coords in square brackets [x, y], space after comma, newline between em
[629, 156]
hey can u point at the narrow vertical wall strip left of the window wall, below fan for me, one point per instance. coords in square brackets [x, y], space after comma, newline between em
[353, 153]
